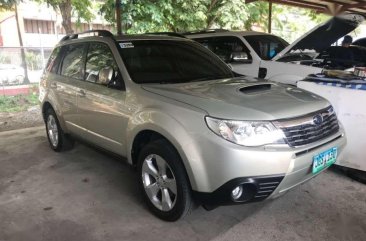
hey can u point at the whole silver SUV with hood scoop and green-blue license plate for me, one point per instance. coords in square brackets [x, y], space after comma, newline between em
[193, 130]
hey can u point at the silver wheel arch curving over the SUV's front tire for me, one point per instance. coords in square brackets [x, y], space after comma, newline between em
[155, 124]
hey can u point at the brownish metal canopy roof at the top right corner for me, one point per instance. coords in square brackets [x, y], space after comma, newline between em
[332, 7]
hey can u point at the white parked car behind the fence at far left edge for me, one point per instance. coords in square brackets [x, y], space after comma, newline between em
[11, 74]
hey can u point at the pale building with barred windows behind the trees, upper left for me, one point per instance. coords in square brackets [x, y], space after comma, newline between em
[40, 26]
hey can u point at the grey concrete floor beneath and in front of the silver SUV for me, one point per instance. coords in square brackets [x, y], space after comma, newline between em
[87, 195]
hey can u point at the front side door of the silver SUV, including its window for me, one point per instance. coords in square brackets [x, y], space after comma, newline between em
[101, 103]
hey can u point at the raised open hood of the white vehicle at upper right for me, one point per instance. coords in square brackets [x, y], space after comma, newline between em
[325, 34]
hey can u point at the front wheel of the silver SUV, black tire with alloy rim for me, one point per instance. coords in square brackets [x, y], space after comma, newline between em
[163, 181]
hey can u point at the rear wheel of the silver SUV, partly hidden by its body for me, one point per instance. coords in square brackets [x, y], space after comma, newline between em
[57, 139]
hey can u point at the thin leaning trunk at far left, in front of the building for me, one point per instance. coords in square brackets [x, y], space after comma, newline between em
[12, 5]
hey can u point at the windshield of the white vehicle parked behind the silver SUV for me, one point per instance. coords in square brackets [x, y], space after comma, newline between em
[266, 46]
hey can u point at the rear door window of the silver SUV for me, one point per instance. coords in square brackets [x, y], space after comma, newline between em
[73, 62]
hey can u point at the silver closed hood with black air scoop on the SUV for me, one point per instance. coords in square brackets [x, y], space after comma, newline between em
[242, 99]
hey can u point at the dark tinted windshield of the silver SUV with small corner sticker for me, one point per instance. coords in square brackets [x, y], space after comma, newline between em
[171, 61]
